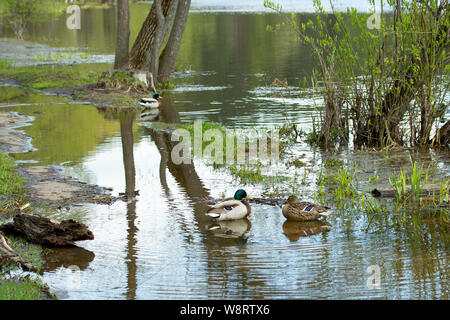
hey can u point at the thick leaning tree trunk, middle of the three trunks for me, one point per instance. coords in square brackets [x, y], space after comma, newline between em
[145, 52]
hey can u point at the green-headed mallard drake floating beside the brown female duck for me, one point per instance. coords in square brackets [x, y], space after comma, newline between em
[231, 208]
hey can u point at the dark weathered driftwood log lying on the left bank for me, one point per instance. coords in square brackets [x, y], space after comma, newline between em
[48, 232]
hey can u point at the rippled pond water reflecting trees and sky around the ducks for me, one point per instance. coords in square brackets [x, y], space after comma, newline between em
[162, 246]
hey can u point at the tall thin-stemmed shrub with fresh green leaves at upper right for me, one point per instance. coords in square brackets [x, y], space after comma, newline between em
[378, 93]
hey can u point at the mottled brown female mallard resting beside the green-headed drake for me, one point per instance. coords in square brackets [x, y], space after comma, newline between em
[303, 211]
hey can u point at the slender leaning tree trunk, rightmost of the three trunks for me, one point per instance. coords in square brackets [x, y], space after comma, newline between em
[168, 57]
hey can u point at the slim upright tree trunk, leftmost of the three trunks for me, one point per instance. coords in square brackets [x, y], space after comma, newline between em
[123, 34]
